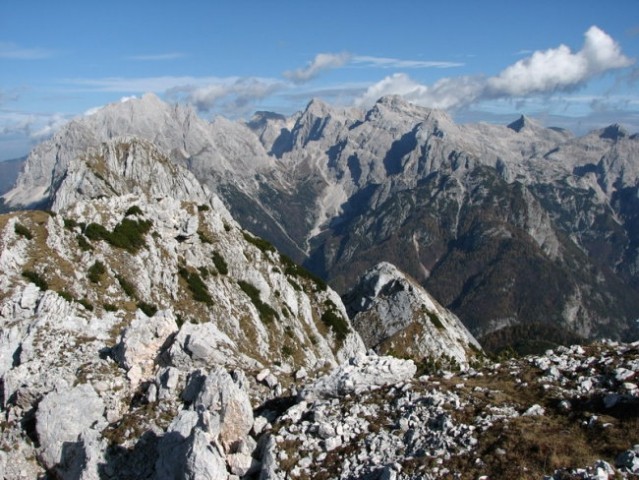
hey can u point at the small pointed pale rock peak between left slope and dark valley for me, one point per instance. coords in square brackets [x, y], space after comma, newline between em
[394, 314]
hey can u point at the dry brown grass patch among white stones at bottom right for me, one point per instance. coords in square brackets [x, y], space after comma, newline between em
[531, 447]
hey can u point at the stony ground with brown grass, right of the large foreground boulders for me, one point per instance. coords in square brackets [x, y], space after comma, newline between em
[572, 413]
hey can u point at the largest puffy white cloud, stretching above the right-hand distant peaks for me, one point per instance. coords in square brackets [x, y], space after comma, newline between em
[543, 72]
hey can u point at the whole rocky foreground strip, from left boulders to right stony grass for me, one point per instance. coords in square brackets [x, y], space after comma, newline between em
[572, 413]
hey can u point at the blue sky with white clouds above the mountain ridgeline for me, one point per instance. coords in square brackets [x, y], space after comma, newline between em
[568, 63]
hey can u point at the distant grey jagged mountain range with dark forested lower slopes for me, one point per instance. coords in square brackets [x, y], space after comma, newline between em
[525, 232]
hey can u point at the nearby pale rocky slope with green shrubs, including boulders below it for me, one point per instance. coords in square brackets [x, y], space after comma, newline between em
[122, 313]
